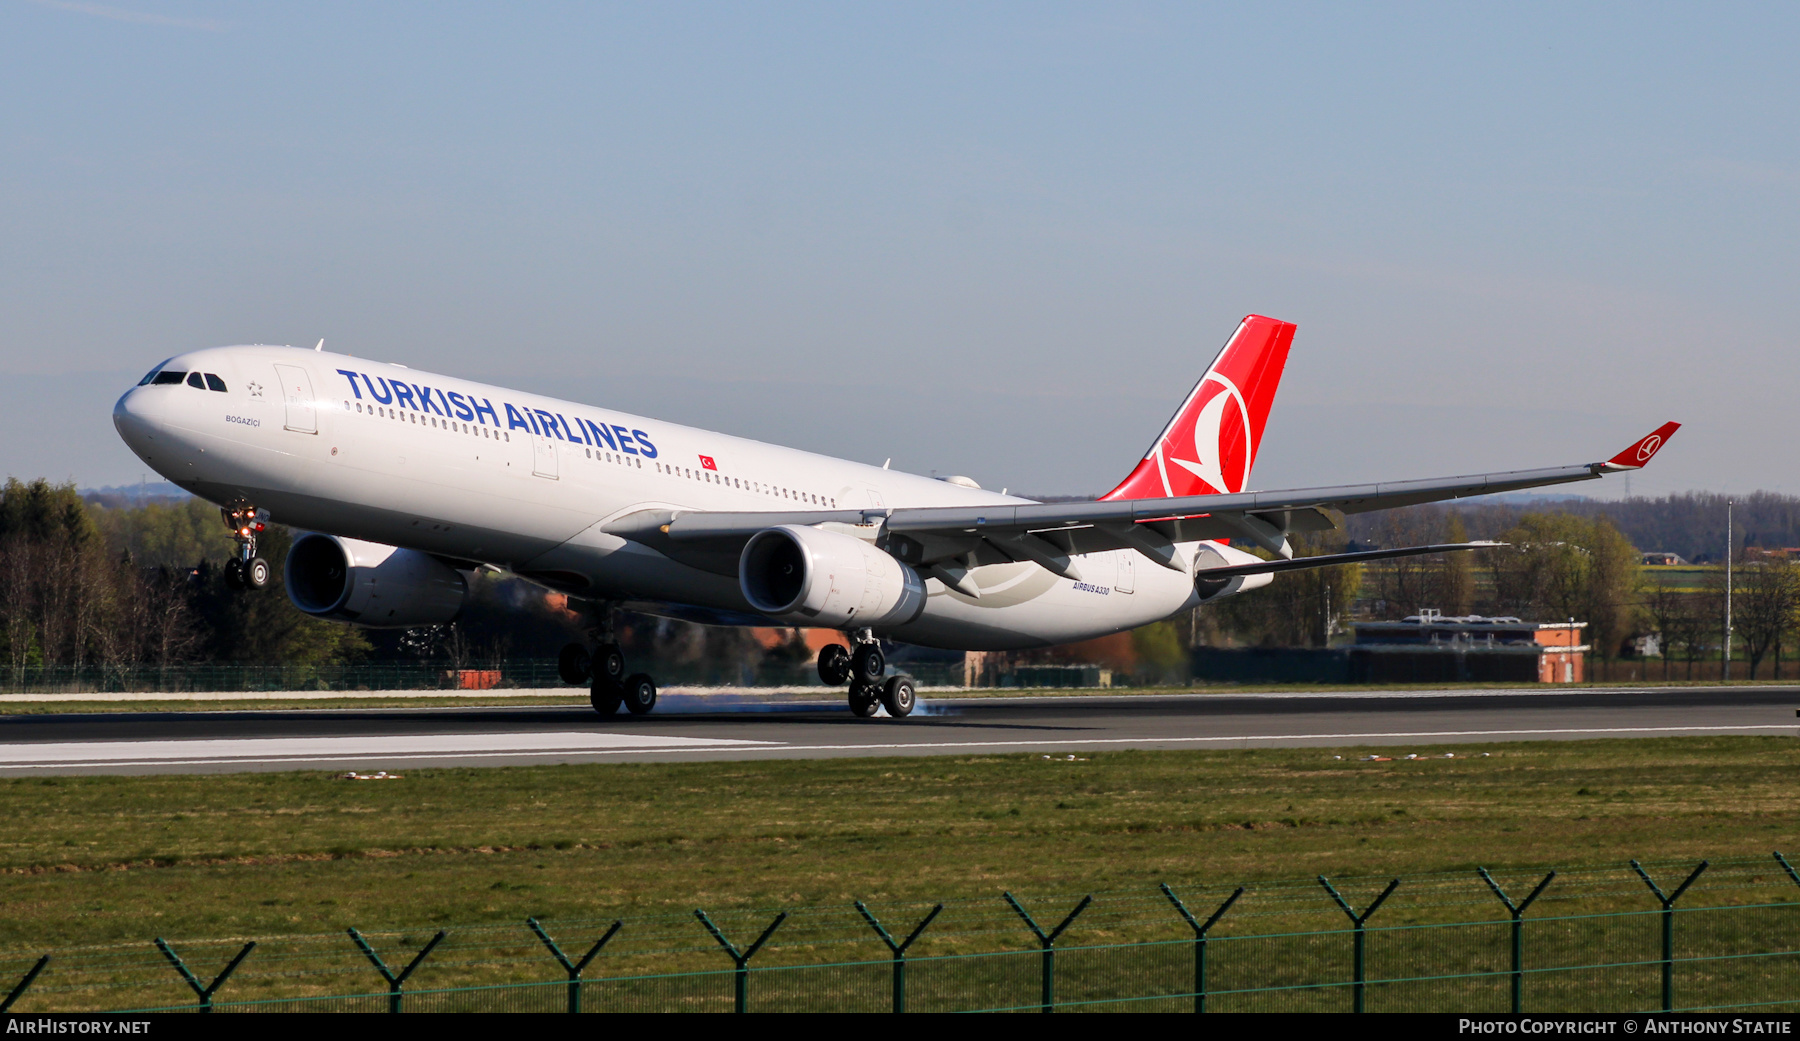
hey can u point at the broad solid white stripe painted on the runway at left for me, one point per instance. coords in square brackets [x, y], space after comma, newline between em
[339, 748]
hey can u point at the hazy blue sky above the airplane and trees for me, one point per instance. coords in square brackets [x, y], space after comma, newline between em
[994, 240]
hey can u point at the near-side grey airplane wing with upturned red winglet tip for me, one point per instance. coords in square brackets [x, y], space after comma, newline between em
[955, 539]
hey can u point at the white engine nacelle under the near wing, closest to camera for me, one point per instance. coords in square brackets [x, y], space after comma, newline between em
[825, 579]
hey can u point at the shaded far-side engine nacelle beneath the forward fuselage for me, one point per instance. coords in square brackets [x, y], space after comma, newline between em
[372, 584]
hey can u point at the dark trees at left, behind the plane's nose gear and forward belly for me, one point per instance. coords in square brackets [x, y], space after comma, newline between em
[105, 583]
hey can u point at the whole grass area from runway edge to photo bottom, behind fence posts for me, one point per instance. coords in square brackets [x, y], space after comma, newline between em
[96, 867]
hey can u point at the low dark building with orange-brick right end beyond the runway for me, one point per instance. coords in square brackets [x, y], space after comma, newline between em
[1430, 647]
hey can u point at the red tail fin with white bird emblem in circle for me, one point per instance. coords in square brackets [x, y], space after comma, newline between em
[1210, 446]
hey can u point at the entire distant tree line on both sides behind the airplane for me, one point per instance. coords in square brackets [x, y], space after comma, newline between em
[105, 583]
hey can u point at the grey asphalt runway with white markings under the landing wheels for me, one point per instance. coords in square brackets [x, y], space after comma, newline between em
[688, 729]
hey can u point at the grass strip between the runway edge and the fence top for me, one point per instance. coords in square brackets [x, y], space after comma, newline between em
[100, 860]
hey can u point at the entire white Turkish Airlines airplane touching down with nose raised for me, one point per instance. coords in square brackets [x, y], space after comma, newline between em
[400, 484]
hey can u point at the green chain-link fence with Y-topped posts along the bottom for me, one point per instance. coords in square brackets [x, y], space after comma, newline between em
[1632, 937]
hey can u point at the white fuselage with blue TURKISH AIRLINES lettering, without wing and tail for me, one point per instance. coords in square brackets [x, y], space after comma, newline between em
[483, 475]
